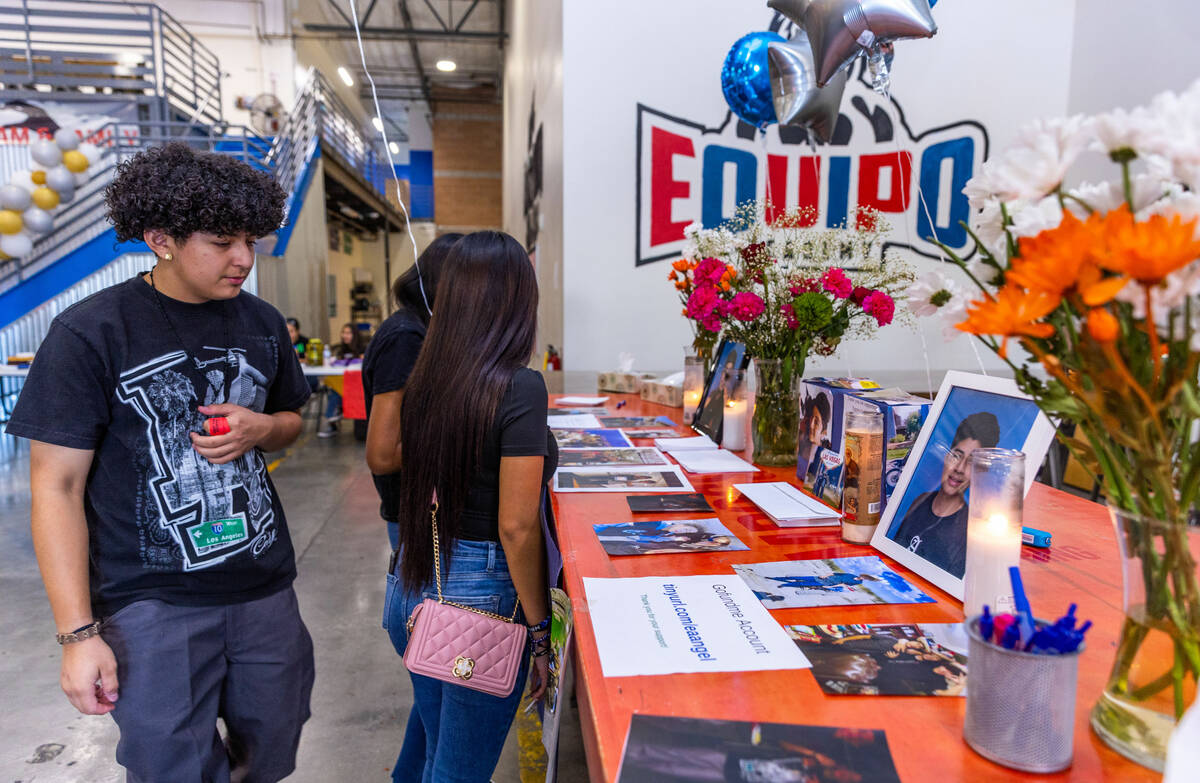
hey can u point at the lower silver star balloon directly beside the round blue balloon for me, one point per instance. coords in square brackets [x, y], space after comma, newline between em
[795, 91]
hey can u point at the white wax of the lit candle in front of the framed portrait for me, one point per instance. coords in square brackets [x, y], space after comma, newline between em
[994, 545]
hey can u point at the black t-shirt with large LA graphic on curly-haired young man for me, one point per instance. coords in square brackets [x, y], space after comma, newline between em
[165, 523]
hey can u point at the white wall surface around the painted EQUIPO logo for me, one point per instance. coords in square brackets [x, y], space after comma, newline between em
[998, 64]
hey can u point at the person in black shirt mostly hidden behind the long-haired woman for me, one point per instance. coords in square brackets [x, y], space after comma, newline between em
[387, 366]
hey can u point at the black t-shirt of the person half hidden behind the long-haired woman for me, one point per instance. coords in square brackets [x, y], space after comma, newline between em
[389, 361]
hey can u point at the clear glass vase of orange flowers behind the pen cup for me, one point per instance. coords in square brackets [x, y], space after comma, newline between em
[1154, 677]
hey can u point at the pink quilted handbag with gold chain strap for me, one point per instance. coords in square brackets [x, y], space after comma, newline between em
[463, 645]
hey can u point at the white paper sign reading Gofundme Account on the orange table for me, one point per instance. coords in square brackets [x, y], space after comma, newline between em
[668, 625]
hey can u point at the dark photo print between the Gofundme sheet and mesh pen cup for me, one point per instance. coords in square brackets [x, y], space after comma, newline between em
[929, 660]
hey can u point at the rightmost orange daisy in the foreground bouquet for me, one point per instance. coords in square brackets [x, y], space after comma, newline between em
[1148, 250]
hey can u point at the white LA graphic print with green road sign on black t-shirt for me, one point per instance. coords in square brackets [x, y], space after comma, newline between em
[212, 512]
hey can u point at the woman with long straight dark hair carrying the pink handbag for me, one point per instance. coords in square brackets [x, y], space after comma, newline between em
[473, 431]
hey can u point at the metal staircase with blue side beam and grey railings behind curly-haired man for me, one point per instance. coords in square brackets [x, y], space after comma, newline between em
[171, 85]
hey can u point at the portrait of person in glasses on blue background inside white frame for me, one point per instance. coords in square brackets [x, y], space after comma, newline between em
[931, 519]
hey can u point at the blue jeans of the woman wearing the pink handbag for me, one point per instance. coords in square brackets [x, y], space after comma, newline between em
[455, 734]
